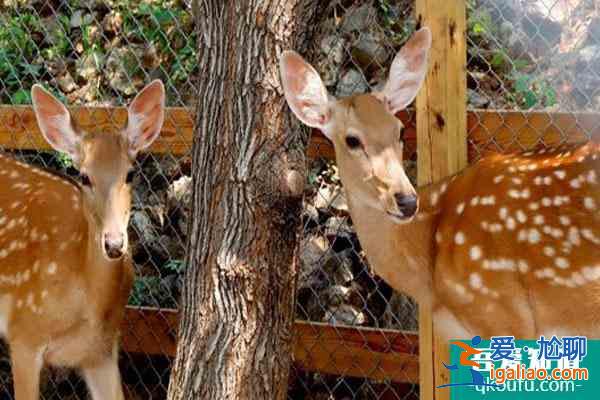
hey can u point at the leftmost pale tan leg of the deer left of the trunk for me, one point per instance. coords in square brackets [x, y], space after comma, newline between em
[26, 366]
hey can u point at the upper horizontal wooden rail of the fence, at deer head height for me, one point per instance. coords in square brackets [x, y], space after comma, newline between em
[489, 131]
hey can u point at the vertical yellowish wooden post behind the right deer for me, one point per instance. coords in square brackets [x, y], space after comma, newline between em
[441, 144]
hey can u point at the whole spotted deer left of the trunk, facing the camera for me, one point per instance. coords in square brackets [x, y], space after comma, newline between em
[65, 275]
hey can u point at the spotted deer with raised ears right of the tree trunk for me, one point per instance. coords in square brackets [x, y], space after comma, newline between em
[509, 246]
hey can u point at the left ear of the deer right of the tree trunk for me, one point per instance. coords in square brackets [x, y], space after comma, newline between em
[304, 91]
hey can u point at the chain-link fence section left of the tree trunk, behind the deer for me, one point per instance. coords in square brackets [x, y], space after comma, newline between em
[101, 54]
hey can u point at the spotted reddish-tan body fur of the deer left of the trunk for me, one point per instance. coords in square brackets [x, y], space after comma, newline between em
[67, 299]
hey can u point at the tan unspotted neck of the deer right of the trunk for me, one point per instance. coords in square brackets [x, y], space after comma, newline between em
[402, 254]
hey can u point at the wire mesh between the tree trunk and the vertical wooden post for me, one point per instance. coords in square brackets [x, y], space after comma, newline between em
[356, 43]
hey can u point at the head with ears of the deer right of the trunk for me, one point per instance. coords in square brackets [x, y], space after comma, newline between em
[363, 128]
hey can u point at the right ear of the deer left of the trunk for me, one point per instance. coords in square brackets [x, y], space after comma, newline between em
[145, 117]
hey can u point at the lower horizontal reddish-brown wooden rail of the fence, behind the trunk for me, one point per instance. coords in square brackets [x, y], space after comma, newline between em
[349, 351]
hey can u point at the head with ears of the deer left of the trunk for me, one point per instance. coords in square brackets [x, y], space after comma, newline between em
[104, 160]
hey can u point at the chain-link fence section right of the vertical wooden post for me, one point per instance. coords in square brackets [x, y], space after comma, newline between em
[538, 59]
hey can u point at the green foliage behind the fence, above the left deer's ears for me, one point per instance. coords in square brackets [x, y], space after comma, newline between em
[36, 47]
